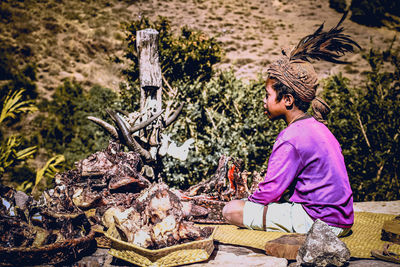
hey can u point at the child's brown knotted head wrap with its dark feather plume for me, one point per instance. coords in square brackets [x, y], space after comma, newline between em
[295, 70]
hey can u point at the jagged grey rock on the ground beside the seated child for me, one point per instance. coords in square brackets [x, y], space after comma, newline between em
[322, 248]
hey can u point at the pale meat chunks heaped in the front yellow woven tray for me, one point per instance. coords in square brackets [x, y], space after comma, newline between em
[155, 220]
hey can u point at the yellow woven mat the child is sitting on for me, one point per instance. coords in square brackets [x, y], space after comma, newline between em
[364, 238]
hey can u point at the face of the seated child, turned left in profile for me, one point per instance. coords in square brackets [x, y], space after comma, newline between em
[273, 108]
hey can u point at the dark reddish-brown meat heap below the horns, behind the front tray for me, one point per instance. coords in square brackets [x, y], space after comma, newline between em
[106, 178]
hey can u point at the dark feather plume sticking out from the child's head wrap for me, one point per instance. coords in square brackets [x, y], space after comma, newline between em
[322, 45]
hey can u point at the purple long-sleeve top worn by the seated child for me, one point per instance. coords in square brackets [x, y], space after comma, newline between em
[309, 155]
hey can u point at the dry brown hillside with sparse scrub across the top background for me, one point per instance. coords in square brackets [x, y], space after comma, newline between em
[85, 40]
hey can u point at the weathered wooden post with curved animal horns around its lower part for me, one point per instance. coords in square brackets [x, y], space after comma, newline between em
[140, 131]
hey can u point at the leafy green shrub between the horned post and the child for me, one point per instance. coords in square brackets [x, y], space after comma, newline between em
[224, 116]
